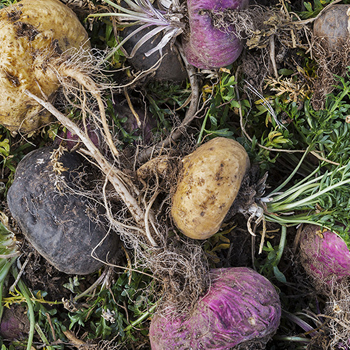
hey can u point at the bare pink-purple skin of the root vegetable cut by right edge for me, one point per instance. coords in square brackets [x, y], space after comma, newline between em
[324, 255]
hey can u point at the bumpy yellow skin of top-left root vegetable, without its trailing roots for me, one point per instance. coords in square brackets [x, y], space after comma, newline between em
[33, 36]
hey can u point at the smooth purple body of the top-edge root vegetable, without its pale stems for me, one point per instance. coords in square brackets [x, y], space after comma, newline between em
[207, 47]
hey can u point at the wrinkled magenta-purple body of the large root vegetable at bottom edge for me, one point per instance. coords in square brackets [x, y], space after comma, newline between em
[241, 305]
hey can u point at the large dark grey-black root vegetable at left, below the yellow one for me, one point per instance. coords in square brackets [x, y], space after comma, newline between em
[63, 226]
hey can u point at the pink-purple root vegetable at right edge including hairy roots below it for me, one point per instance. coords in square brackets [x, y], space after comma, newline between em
[326, 259]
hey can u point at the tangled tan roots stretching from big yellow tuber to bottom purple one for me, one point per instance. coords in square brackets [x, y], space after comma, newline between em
[136, 208]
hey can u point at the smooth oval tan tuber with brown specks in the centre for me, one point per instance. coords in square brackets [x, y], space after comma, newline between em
[212, 176]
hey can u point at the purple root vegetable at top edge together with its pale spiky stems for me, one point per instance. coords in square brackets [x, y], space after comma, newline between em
[206, 44]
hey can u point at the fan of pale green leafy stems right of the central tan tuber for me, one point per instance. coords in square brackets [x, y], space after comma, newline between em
[317, 199]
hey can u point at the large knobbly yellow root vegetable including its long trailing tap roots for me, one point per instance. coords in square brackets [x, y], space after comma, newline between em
[43, 66]
